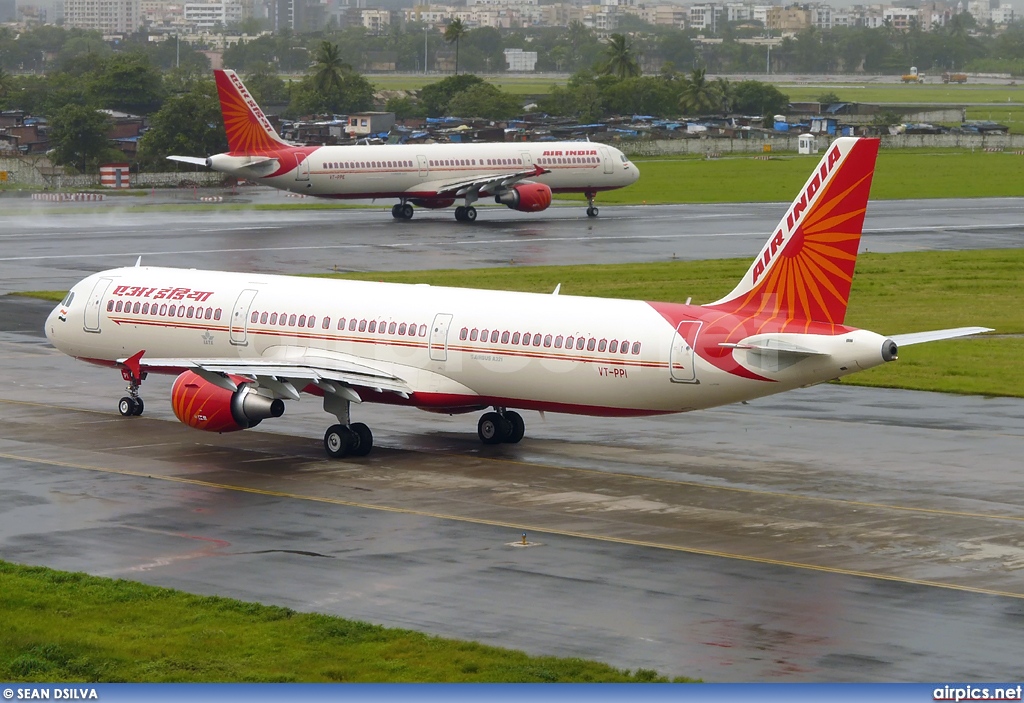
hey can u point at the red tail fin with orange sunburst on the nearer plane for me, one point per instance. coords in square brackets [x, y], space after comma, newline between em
[805, 271]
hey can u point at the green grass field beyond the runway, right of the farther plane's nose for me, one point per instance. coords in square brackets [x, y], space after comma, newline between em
[900, 174]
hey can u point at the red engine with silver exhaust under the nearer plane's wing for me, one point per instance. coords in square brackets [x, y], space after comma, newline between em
[200, 405]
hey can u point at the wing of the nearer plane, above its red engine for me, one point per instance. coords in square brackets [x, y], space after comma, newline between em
[286, 375]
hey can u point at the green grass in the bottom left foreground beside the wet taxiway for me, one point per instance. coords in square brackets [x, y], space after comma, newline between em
[62, 627]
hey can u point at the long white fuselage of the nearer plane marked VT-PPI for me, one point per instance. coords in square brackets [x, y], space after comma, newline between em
[446, 362]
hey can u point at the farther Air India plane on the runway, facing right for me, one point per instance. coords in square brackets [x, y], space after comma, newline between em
[522, 175]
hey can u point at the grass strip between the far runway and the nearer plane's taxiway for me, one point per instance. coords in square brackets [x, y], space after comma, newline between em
[892, 294]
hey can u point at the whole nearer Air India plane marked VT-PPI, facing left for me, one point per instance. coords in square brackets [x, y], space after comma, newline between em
[243, 344]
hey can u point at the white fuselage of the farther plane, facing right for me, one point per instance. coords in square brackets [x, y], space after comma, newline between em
[420, 171]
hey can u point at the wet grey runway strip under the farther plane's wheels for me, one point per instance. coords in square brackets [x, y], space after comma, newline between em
[50, 246]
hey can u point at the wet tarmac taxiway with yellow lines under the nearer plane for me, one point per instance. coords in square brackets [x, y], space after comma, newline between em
[833, 534]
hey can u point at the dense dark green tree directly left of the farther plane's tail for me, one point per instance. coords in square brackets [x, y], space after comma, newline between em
[188, 125]
